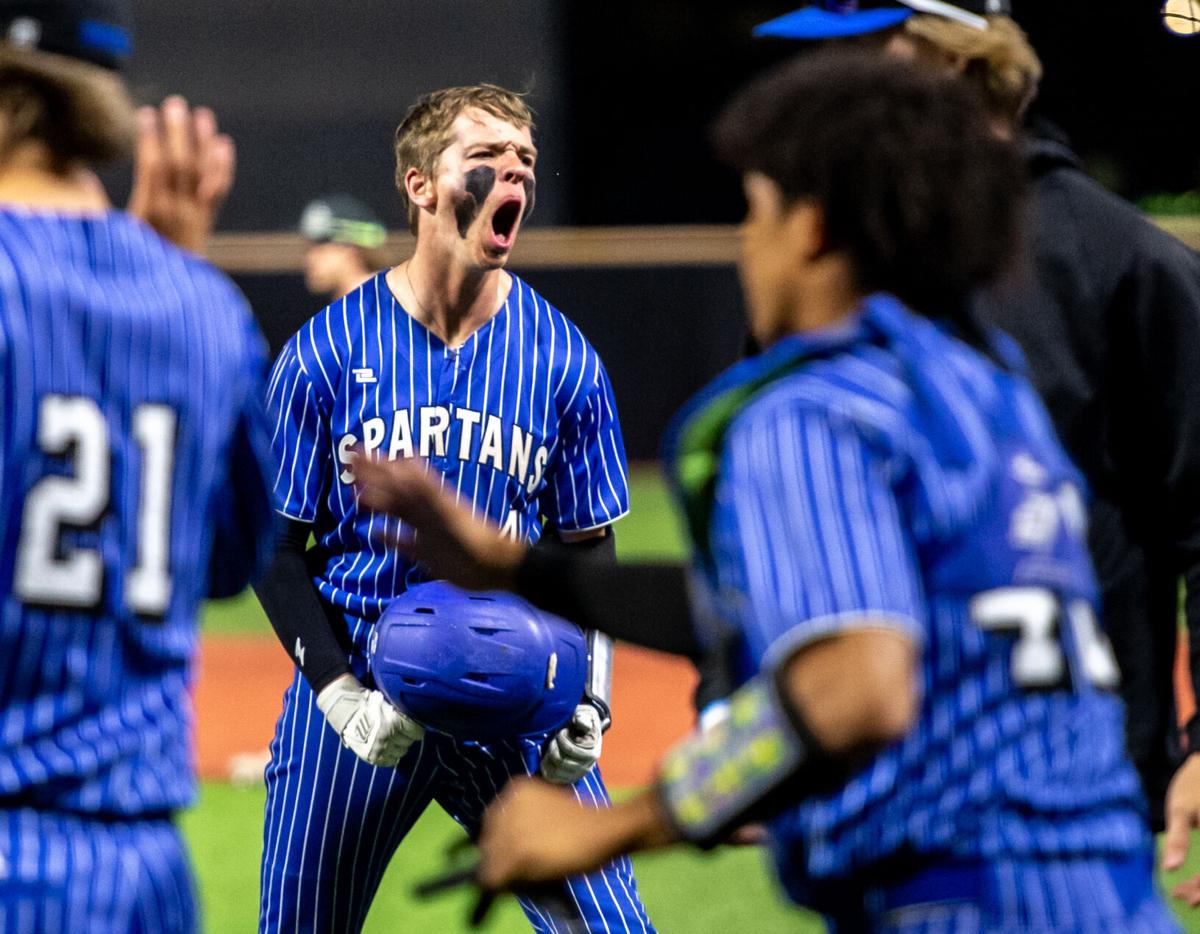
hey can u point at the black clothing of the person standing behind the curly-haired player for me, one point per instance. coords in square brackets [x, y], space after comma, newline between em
[1109, 320]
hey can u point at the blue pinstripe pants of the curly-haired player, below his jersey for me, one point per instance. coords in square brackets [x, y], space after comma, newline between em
[1024, 897]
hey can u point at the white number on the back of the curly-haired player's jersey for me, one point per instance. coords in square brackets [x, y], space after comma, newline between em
[1036, 615]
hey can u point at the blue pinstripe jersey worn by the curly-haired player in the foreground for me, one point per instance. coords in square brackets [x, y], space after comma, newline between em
[896, 476]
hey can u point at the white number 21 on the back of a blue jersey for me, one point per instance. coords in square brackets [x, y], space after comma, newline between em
[49, 572]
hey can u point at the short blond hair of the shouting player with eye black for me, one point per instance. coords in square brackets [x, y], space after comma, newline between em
[428, 128]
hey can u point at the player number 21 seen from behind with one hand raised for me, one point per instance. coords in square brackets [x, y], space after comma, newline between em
[135, 475]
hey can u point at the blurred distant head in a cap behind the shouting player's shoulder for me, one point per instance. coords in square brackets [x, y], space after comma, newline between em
[345, 241]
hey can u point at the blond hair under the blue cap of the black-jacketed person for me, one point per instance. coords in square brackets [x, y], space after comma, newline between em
[999, 61]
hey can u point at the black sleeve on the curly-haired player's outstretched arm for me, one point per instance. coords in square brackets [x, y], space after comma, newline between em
[643, 603]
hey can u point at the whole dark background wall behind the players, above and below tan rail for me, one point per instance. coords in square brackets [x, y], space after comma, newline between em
[625, 91]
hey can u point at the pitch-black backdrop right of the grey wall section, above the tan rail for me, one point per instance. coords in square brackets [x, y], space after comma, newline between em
[647, 76]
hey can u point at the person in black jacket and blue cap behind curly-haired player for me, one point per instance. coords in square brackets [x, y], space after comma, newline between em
[1109, 319]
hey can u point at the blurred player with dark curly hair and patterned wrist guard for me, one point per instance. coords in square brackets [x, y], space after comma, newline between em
[881, 513]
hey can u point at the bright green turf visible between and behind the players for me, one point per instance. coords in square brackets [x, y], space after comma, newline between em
[683, 891]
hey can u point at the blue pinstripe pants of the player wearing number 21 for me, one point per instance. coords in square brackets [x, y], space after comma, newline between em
[67, 873]
